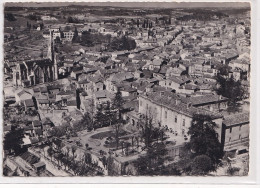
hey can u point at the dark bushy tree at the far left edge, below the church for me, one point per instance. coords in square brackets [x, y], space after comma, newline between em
[13, 141]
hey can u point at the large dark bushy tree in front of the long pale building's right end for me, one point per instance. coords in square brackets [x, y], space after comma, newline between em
[203, 147]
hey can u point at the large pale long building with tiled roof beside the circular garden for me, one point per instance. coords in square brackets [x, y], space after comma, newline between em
[169, 110]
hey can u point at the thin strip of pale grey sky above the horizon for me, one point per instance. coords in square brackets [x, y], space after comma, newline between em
[136, 4]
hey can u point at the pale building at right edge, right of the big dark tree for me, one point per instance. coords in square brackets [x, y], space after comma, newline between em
[235, 131]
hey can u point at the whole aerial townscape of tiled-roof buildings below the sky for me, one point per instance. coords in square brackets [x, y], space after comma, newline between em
[92, 90]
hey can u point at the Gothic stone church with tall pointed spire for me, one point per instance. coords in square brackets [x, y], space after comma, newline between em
[33, 72]
